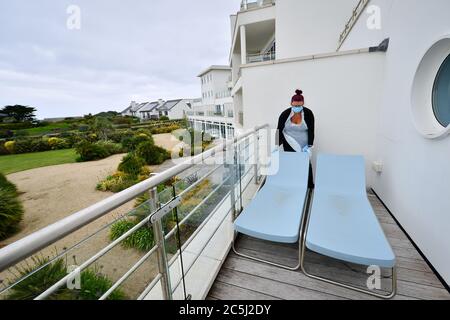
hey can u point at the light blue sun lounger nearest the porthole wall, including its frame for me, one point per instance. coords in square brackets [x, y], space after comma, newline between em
[342, 224]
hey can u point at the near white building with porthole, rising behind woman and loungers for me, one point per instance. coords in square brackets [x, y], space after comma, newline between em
[388, 103]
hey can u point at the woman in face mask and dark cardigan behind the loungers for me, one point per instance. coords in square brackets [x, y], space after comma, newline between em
[296, 129]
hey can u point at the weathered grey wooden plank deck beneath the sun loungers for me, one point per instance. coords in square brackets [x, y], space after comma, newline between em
[244, 279]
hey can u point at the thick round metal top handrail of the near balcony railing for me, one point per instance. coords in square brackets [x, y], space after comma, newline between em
[41, 239]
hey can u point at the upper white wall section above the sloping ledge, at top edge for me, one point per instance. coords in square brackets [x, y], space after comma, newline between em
[305, 27]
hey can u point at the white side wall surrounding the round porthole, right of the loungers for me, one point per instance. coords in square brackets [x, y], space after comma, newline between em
[415, 184]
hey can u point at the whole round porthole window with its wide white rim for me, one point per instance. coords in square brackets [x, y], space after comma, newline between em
[430, 94]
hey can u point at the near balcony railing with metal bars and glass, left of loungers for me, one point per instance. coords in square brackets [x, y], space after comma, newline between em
[183, 232]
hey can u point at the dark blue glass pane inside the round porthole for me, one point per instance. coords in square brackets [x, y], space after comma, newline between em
[441, 94]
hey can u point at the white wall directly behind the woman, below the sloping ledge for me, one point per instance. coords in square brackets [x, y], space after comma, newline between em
[343, 93]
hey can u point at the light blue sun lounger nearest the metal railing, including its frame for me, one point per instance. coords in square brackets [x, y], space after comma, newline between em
[277, 212]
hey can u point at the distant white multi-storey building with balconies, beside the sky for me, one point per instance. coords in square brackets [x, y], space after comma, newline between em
[213, 112]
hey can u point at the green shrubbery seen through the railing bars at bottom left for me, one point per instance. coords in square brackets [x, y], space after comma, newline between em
[93, 284]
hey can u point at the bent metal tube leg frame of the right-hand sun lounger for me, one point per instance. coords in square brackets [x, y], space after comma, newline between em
[340, 284]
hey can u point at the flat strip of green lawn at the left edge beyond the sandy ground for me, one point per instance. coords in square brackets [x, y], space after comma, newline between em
[20, 162]
